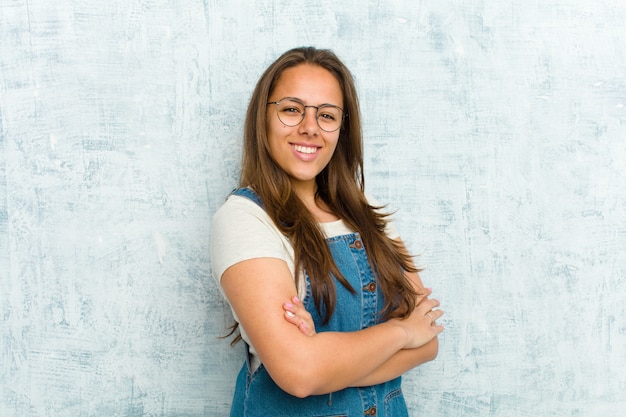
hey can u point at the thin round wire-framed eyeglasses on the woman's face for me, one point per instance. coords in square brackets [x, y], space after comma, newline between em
[291, 112]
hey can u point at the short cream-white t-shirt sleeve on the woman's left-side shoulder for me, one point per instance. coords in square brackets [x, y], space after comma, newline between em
[241, 230]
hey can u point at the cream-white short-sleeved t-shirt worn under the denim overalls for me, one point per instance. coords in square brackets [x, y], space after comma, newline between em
[242, 230]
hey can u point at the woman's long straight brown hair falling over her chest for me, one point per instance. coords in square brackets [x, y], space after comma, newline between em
[340, 186]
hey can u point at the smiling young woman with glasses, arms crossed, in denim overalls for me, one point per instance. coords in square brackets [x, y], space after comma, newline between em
[301, 228]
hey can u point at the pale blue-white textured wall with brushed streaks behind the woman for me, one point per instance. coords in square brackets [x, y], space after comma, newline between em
[496, 129]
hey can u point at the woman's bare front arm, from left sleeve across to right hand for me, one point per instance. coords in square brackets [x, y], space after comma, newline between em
[308, 364]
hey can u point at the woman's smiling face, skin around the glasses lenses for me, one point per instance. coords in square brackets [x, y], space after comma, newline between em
[304, 150]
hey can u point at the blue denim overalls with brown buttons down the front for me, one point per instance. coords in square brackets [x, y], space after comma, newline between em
[256, 394]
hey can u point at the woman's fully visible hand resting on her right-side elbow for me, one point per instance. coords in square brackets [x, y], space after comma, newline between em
[421, 325]
